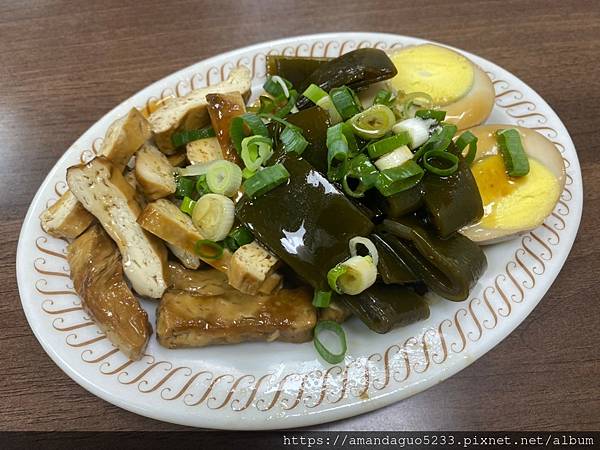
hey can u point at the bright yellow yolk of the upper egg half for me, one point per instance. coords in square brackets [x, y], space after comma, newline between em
[443, 74]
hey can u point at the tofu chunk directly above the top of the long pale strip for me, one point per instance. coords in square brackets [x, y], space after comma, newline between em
[124, 137]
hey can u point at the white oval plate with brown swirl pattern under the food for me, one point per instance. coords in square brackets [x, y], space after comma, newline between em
[277, 385]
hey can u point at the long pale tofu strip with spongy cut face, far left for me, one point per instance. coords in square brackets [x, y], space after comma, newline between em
[104, 192]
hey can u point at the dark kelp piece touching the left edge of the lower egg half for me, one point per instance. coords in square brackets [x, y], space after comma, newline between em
[452, 202]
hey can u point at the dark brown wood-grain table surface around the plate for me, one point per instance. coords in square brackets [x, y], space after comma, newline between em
[65, 64]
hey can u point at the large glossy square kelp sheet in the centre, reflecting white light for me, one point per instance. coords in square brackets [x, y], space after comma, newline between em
[306, 222]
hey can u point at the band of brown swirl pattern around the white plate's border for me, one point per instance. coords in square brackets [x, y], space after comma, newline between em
[358, 378]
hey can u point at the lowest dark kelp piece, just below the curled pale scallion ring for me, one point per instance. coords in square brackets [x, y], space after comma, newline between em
[384, 307]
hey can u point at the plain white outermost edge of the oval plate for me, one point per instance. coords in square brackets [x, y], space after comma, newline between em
[321, 416]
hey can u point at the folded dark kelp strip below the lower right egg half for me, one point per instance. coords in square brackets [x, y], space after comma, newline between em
[449, 267]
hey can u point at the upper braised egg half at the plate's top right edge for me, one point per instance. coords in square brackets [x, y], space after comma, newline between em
[453, 82]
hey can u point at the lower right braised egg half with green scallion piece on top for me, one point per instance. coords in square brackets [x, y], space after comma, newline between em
[514, 205]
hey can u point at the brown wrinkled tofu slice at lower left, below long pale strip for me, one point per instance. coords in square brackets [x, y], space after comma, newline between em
[97, 275]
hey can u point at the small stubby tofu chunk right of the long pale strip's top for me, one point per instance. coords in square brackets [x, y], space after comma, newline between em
[153, 172]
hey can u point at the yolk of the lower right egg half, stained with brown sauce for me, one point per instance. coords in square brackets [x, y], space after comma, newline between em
[514, 203]
